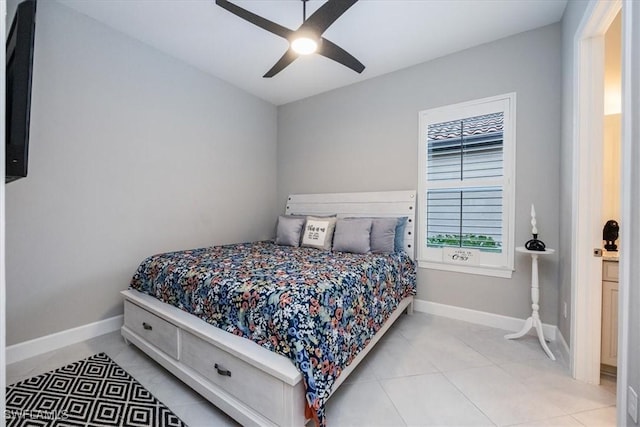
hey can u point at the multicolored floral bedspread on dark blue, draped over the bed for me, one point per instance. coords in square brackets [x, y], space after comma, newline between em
[315, 307]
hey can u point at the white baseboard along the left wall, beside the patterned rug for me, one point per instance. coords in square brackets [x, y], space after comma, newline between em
[26, 349]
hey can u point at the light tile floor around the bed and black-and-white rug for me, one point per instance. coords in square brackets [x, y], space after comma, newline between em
[427, 370]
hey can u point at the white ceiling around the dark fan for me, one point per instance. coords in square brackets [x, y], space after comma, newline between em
[385, 35]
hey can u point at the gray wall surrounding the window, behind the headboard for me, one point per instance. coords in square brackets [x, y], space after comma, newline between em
[365, 138]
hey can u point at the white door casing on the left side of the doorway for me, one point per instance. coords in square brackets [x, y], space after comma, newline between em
[586, 283]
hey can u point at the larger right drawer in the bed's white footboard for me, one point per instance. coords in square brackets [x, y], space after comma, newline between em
[250, 385]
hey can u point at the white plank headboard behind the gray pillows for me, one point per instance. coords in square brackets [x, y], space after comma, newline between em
[378, 204]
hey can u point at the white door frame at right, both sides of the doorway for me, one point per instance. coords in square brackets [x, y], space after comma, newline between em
[588, 98]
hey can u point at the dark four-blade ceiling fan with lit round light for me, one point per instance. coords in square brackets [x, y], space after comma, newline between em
[307, 38]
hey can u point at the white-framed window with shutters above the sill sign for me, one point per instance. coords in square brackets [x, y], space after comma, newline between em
[467, 171]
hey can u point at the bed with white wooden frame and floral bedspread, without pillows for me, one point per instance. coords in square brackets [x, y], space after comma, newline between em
[268, 332]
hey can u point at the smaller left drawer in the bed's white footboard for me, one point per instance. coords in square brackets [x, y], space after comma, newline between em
[155, 330]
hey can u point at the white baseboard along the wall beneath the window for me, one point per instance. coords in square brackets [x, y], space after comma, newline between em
[480, 317]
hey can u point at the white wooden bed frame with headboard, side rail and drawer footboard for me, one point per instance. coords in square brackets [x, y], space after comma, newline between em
[248, 382]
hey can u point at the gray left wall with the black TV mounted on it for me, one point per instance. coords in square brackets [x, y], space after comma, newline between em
[131, 153]
